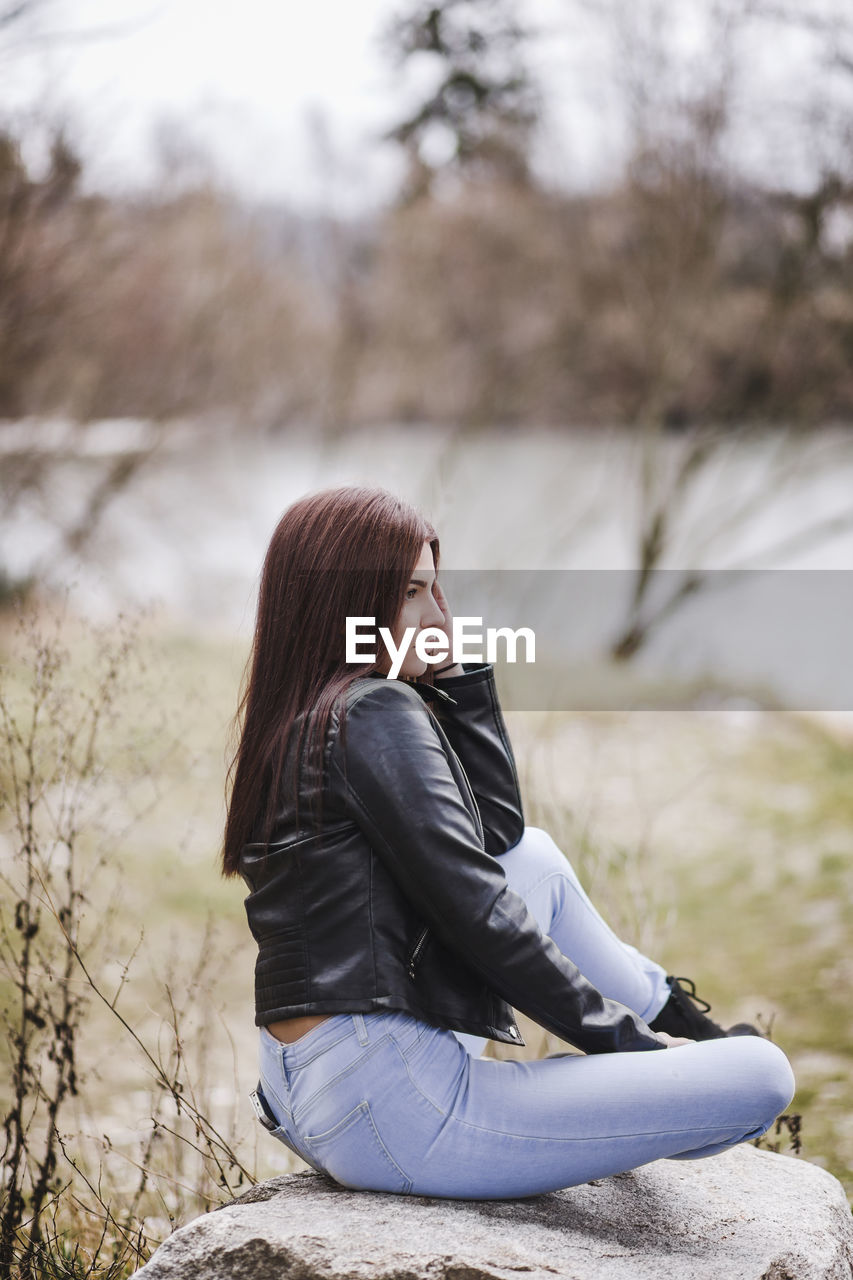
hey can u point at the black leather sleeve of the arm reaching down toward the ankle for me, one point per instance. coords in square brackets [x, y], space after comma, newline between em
[394, 778]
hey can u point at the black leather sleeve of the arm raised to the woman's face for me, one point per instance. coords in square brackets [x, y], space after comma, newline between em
[476, 729]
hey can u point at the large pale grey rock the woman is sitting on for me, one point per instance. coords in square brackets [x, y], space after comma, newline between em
[742, 1215]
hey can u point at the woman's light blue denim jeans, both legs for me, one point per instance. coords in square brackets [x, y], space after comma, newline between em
[382, 1101]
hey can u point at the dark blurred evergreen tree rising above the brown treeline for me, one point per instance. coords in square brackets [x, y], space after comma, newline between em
[478, 115]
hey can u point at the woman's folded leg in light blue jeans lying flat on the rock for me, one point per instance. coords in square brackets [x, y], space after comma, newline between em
[521, 1128]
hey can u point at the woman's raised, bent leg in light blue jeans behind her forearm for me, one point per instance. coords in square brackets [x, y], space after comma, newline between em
[541, 874]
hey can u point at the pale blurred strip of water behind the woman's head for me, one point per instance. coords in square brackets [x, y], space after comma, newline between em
[190, 533]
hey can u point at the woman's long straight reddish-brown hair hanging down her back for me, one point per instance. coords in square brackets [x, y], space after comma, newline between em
[346, 552]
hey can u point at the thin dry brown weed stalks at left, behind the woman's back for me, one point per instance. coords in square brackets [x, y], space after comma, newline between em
[112, 1130]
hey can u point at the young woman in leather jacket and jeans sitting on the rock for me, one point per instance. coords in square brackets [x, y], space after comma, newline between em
[404, 909]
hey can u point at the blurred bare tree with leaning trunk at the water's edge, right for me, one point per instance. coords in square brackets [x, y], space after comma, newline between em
[717, 340]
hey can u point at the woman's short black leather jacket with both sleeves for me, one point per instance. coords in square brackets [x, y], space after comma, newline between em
[405, 907]
